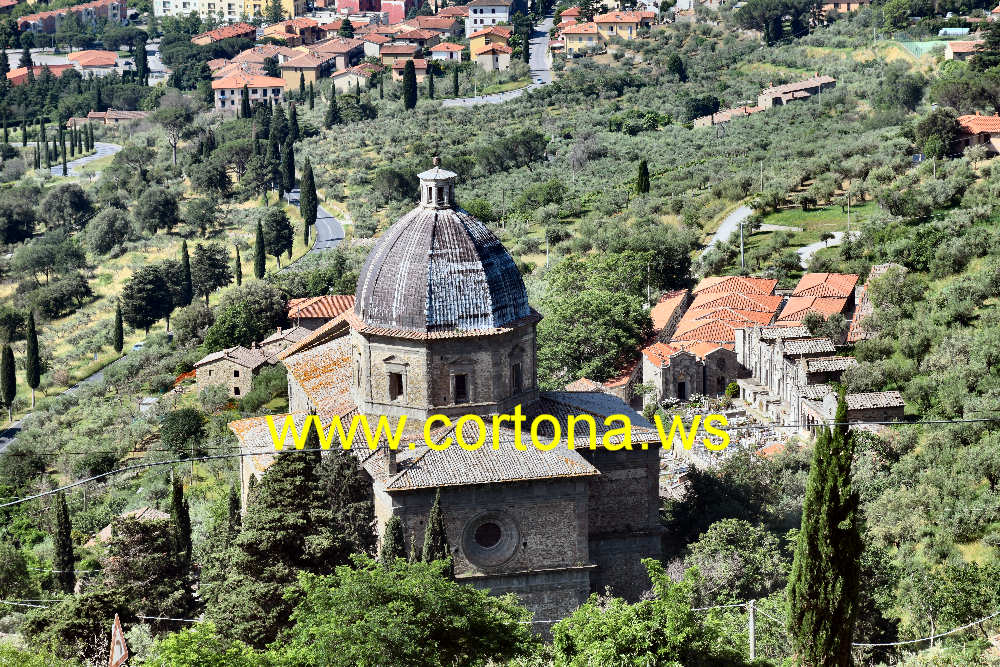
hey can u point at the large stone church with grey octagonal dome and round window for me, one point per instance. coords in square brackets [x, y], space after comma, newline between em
[441, 324]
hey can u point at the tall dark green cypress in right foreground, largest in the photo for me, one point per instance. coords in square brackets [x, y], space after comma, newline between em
[823, 587]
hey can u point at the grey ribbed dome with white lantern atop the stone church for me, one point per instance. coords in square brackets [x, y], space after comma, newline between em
[439, 269]
